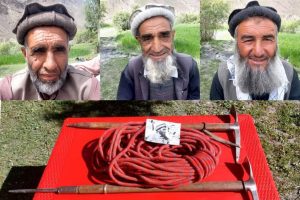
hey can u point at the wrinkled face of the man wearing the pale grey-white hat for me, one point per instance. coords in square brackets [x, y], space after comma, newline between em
[156, 38]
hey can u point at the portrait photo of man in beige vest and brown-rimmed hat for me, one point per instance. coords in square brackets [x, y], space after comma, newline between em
[46, 54]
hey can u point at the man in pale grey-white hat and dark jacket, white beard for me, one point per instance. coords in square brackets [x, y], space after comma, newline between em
[159, 73]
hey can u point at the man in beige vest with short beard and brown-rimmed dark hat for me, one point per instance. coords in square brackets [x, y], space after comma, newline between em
[45, 32]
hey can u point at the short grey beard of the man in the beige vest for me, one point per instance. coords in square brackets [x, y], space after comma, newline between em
[48, 88]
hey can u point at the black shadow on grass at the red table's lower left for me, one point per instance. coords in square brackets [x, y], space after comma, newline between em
[21, 177]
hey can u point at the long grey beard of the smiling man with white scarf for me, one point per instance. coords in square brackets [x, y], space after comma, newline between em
[259, 81]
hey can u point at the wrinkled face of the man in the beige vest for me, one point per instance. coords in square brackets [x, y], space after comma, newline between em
[46, 52]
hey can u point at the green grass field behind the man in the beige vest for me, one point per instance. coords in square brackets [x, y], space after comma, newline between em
[12, 63]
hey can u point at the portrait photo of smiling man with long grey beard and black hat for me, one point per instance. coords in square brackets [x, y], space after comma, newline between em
[252, 54]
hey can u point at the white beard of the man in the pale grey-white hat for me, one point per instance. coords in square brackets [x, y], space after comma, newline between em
[160, 71]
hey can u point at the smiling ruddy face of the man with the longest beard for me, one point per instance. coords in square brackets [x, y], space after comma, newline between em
[256, 41]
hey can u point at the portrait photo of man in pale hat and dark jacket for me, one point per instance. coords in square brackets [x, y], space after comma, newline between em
[150, 51]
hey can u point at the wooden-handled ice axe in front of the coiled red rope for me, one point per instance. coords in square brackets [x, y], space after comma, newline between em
[212, 186]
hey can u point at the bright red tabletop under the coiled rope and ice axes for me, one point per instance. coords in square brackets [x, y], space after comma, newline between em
[66, 166]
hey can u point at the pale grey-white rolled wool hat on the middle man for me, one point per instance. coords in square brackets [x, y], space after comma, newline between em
[149, 11]
